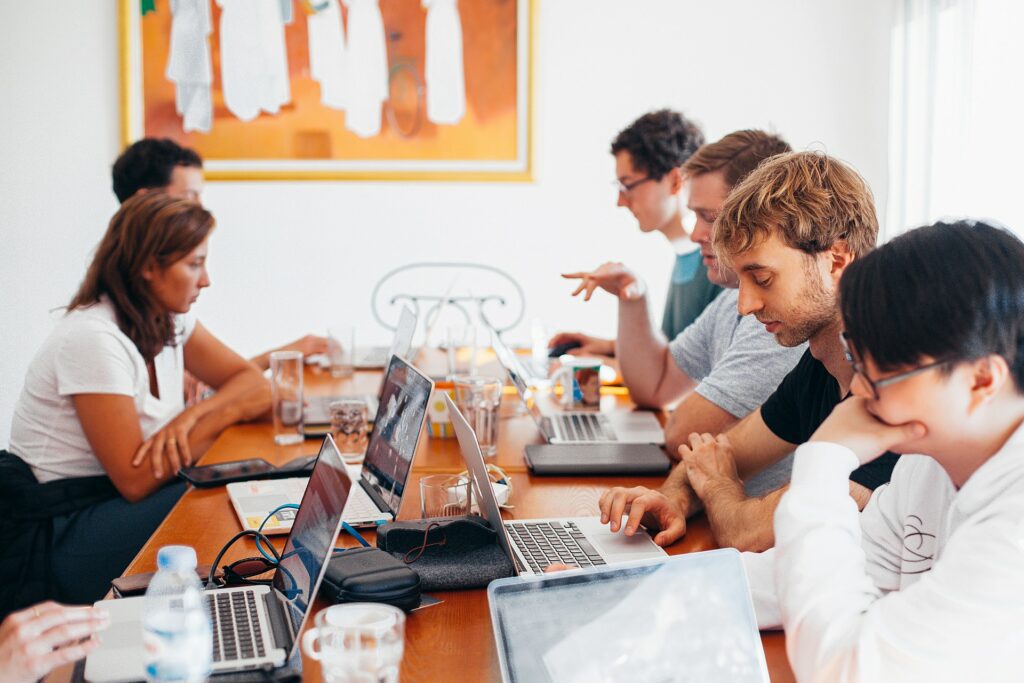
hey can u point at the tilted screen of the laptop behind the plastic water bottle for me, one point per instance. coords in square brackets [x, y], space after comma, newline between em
[305, 561]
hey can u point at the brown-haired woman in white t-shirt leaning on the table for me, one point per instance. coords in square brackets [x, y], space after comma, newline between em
[105, 395]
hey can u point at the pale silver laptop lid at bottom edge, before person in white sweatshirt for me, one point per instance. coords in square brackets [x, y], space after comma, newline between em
[689, 618]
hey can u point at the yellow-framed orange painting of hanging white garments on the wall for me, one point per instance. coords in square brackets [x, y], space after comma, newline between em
[334, 90]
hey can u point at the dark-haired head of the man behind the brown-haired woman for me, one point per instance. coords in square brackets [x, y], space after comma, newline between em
[153, 163]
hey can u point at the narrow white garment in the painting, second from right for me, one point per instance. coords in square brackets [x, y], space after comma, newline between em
[367, 70]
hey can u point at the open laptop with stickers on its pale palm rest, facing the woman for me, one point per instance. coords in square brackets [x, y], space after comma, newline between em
[377, 499]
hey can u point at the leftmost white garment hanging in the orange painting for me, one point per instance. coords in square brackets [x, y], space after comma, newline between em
[189, 64]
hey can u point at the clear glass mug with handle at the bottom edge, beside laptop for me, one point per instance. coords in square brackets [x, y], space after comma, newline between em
[358, 643]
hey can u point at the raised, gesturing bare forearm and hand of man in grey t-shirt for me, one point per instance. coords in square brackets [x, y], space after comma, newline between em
[645, 362]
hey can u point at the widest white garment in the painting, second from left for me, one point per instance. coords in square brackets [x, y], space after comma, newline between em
[253, 58]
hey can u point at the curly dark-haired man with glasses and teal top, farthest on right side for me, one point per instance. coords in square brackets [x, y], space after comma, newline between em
[650, 155]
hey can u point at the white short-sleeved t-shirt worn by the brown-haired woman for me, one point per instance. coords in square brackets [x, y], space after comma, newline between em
[89, 354]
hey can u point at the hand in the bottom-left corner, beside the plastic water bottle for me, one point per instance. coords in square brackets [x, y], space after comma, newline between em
[37, 641]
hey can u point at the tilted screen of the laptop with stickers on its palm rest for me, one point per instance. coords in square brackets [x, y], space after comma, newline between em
[403, 410]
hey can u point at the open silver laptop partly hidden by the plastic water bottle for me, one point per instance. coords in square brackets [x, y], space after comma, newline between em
[254, 627]
